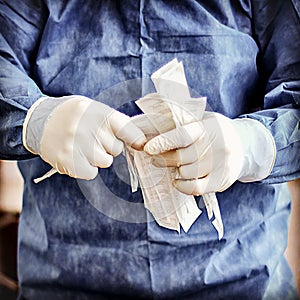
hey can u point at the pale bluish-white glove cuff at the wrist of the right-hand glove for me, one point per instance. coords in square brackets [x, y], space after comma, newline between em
[259, 149]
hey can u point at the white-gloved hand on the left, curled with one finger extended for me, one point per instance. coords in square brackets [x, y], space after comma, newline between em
[75, 134]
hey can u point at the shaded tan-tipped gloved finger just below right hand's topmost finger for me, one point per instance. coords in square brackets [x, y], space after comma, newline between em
[176, 158]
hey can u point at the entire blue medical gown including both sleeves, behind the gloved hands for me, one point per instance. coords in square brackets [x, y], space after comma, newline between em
[93, 239]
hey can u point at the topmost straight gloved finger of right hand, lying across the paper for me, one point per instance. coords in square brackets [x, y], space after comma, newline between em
[180, 137]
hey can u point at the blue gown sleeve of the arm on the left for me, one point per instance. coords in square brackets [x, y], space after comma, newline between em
[21, 24]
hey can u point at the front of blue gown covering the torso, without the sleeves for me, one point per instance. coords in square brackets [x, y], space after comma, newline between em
[96, 235]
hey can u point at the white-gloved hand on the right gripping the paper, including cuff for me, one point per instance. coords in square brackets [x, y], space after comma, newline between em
[215, 152]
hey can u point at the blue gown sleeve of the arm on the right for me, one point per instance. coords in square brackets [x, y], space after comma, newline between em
[276, 26]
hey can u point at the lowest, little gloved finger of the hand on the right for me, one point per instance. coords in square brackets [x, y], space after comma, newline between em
[195, 187]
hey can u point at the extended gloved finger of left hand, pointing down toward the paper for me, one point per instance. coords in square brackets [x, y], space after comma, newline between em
[126, 130]
